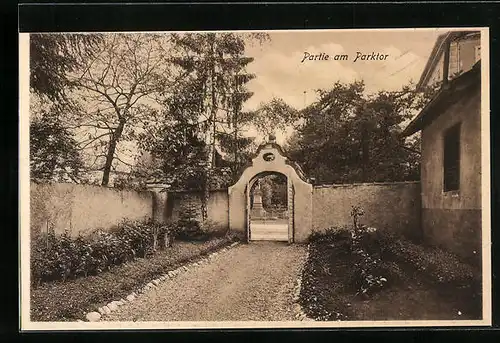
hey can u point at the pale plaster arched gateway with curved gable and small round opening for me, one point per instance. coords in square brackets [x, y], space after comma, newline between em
[270, 159]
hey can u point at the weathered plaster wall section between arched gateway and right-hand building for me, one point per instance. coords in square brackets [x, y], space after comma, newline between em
[387, 206]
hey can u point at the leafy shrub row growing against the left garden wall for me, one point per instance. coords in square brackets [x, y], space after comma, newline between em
[59, 257]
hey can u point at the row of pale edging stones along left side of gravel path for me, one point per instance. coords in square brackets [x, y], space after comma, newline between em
[113, 305]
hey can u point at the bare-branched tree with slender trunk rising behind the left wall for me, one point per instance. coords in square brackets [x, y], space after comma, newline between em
[118, 87]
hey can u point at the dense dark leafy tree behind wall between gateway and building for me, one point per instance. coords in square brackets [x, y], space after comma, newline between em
[347, 136]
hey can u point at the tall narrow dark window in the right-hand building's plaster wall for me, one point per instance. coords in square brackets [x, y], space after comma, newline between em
[452, 159]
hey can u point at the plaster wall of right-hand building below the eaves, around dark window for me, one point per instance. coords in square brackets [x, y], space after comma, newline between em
[453, 219]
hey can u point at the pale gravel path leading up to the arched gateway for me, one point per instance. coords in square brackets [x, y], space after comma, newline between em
[249, 282]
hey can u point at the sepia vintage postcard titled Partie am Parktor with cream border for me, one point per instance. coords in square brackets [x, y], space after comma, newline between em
[255, 179]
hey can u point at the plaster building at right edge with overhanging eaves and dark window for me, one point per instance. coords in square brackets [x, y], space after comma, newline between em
[450, 127]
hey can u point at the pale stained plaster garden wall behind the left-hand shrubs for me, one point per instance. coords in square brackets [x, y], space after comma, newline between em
[83, 208]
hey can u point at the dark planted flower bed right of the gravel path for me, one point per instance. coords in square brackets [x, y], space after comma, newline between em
[355, 271]
